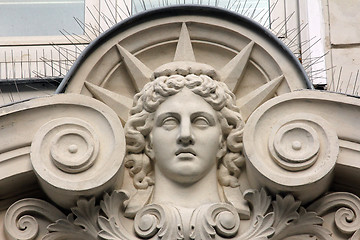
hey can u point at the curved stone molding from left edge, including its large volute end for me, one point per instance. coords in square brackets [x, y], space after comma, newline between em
[74, 144]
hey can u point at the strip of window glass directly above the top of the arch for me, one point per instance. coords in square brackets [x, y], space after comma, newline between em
[255, 9]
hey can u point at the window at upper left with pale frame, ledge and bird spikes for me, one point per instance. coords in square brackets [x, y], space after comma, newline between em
[34, 54]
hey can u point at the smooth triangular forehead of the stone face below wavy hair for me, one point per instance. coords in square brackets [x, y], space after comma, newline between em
[184, 102]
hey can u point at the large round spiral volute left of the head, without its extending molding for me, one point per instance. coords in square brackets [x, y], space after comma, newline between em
[78, 152]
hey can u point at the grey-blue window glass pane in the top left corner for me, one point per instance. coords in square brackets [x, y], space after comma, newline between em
[40, 17]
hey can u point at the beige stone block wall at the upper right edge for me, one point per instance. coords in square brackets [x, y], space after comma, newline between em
[342, 41]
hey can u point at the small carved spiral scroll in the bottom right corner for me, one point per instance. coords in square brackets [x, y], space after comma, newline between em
[347, 207]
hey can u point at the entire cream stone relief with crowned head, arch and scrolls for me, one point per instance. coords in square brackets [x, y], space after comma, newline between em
[217, 144]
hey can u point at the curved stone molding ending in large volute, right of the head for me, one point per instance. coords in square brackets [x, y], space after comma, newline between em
[294, 142]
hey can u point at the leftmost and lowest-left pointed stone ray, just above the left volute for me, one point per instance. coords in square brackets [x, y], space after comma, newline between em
[119, 103]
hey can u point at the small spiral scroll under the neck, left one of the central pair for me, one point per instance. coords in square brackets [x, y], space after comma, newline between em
[165, 221]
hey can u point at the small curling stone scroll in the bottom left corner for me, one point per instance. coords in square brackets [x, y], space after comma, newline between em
[27, 219]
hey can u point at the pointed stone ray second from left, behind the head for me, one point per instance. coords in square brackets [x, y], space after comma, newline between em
[138, 71]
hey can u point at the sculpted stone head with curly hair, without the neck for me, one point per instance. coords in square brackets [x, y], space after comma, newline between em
[183, 125]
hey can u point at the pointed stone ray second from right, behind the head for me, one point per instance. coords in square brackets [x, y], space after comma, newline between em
[233, 71]
